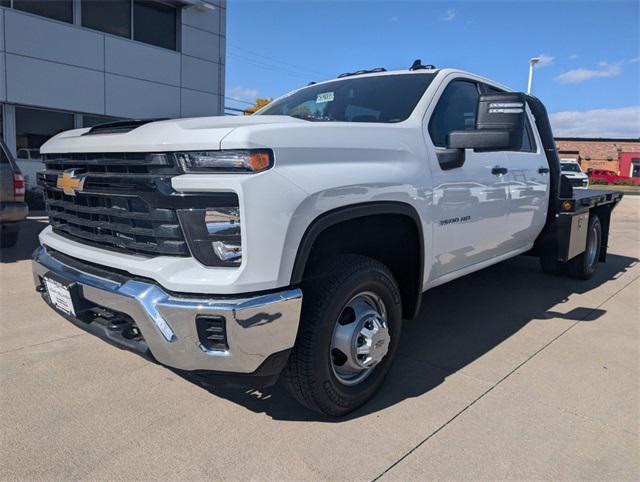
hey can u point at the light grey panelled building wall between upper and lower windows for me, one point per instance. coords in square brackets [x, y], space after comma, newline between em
[51, 64]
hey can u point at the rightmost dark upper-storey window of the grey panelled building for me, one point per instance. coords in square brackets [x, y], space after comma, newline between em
[155, 23]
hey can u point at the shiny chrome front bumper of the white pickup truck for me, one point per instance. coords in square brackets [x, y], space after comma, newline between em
[257, 326]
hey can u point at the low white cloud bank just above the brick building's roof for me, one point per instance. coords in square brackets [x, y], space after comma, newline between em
[622, 122]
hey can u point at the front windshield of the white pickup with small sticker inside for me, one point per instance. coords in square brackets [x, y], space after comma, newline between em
[385, 98]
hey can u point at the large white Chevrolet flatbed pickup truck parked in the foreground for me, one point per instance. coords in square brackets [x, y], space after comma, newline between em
[292, 243]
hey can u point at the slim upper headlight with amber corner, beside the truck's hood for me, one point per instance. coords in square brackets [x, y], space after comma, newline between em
[244, 160]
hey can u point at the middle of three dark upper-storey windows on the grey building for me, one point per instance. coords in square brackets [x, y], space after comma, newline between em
[110, 16]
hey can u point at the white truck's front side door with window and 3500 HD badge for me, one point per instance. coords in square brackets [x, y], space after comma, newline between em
[469, 207]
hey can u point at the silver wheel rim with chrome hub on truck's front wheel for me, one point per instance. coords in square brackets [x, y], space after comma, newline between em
[360, 338]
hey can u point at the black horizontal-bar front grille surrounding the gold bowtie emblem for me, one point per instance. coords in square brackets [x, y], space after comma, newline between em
[125, 203]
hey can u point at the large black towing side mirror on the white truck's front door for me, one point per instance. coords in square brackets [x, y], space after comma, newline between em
[499, 124]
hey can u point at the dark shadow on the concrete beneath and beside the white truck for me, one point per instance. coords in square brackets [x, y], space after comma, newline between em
[459, 322]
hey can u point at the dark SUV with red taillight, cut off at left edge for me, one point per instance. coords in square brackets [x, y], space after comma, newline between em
[13, 209]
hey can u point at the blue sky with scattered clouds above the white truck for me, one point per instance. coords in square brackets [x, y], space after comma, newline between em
[588, 76]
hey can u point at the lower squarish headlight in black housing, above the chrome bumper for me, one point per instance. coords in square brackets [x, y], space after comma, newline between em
[213, 235]
